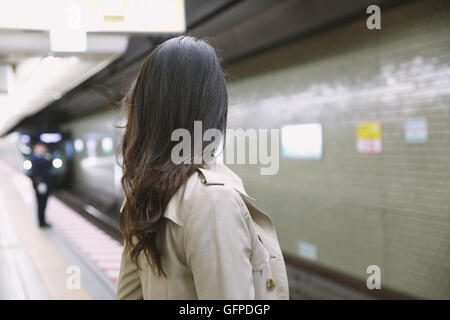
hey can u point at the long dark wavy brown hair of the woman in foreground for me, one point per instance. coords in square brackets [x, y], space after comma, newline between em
[180, 82]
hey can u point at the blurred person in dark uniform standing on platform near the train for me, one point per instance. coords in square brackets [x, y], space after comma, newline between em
[42, 179]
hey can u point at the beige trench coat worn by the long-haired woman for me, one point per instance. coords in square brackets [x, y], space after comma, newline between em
[215, 244]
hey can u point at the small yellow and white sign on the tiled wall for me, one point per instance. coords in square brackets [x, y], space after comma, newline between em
[368, 137]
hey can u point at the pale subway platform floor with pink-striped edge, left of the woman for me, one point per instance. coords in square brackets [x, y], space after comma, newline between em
[71, 260]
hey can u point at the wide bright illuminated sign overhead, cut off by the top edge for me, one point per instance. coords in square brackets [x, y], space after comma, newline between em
[152, 16]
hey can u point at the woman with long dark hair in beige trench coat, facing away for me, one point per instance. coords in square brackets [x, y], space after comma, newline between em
[190, 230]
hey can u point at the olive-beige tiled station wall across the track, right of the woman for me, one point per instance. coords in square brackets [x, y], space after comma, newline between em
[390, 209]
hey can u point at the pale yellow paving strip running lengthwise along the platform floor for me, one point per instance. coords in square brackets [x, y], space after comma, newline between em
[46, 260]
